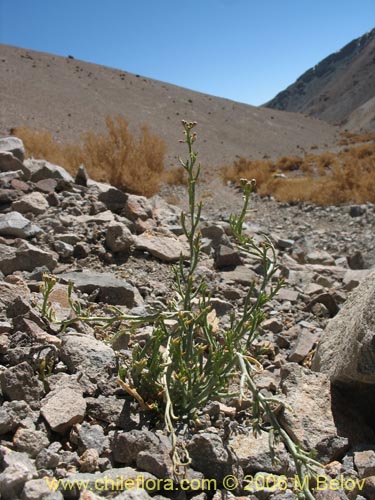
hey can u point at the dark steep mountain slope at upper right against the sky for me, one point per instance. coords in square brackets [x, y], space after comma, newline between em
[340, 89]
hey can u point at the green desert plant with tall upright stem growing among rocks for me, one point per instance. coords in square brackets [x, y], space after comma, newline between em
[189, 360]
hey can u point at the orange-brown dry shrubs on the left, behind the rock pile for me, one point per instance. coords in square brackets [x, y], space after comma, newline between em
[132, 163]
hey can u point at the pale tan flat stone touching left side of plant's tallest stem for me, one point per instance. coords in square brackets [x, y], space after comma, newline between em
[164, 246]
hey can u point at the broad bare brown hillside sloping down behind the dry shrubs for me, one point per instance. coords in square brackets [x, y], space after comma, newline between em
[67, 96]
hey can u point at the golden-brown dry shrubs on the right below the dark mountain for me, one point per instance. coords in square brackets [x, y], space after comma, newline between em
[326, 179]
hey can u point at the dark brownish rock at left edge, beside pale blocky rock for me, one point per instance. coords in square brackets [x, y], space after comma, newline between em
[20, 383]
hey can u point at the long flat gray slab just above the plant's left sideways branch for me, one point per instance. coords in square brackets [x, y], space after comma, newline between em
[111, 290]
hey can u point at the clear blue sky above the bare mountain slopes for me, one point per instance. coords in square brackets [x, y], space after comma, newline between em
[245, 50]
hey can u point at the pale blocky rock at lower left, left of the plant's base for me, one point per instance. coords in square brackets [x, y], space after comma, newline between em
[63, 408]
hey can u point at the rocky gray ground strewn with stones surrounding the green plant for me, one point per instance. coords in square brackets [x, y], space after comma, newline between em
[64, 415]
